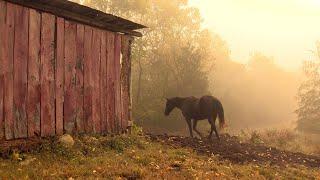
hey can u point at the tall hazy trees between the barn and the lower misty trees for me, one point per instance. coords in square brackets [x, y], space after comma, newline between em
[171, 59]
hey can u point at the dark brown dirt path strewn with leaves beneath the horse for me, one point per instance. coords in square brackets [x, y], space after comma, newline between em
[232, 149]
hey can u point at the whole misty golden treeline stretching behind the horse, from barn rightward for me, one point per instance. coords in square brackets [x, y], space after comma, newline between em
[176, 57]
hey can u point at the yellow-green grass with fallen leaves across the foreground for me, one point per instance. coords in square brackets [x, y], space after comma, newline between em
[134, 157]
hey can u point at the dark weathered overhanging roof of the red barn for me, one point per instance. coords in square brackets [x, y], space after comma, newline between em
[83, 14]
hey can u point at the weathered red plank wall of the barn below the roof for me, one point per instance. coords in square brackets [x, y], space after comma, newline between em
[58, 76]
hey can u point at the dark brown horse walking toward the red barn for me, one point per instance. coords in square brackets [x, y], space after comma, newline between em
[207, 107]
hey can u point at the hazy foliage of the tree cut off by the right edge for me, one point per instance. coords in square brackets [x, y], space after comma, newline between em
[309, 97]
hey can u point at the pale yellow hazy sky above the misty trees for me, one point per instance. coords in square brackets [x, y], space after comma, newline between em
[284, 29]
